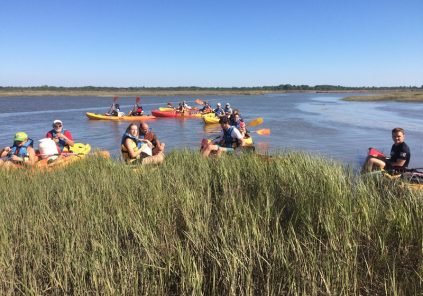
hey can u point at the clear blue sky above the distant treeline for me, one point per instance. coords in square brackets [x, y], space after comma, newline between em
[211, 43]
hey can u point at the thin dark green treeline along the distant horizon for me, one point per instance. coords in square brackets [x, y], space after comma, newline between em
[282, 87]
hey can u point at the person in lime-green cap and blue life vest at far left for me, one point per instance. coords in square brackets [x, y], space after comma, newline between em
[20, 153]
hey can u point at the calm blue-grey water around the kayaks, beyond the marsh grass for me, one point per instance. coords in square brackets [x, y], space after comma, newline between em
[317, 123]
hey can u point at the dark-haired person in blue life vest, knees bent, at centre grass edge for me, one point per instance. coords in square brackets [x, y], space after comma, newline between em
[230, 139]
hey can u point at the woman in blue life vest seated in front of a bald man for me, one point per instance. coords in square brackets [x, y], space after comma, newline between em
[136, 150]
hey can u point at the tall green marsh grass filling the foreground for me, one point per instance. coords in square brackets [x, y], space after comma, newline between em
[296, 225]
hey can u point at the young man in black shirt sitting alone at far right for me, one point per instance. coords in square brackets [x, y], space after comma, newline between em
[399, 157]
